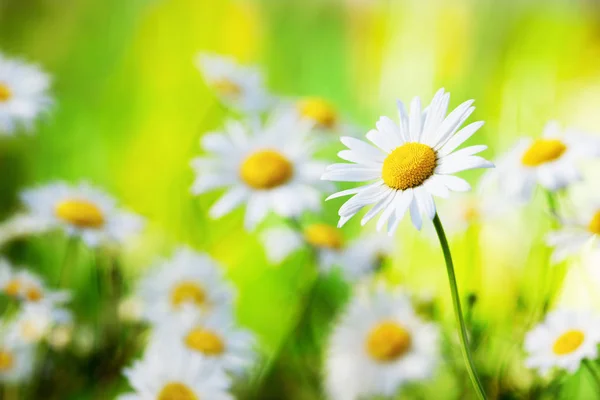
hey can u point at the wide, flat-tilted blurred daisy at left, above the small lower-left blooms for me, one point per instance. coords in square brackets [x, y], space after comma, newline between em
[82, 210]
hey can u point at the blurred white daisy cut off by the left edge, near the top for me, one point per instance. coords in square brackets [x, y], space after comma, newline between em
[23, 94]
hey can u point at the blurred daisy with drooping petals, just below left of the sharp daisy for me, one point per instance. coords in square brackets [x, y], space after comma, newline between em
[355, 258]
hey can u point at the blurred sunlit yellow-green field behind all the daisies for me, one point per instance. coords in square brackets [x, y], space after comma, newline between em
[130, 107]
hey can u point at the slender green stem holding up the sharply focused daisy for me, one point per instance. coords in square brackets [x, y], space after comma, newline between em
[464, 342]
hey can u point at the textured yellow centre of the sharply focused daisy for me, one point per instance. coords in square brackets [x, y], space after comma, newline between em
[408, 166]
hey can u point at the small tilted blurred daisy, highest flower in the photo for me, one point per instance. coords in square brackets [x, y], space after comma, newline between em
[237, 86]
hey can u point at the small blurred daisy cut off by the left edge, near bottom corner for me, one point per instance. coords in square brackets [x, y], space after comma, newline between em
[17, 359]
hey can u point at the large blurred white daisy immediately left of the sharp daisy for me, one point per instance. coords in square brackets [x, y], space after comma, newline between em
[262, 167]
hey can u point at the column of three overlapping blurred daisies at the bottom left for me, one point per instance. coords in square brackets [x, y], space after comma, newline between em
[196, 348]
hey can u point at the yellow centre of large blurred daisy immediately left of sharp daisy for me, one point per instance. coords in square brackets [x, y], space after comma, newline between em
[266, 169]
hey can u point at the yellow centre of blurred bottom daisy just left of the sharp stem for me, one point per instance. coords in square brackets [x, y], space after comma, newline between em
[388, 341]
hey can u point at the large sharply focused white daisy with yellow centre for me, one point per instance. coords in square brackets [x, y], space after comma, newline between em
[409, 164]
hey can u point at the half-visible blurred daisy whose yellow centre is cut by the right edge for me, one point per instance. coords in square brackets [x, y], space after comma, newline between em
[575, 232]
